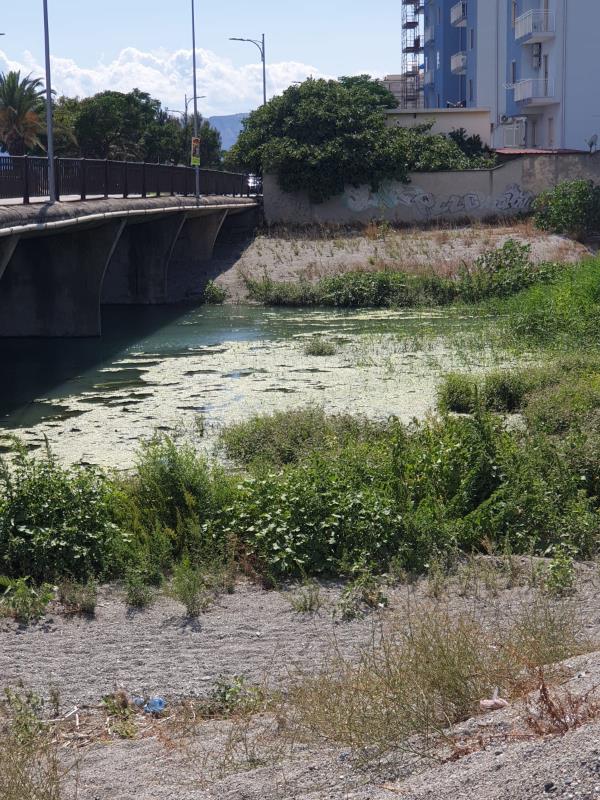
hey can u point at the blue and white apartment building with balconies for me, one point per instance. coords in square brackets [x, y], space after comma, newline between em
[530, 62]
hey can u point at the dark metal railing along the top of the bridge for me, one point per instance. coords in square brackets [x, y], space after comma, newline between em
[26, 177]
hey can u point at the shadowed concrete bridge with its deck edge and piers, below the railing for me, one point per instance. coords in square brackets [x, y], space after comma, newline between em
[59, 263]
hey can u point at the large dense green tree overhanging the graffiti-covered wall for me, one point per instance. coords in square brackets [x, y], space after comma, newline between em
[322, 135]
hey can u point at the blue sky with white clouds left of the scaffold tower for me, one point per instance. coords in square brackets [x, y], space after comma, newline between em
[122, 44]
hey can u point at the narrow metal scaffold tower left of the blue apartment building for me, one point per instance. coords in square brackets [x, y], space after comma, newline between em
[413, 41]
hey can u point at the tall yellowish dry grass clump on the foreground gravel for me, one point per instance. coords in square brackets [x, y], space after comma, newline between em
[428, 673]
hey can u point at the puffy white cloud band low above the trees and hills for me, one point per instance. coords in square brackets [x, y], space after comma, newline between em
[168, 76]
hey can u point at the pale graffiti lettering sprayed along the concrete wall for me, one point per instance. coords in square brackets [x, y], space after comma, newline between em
[427, 205]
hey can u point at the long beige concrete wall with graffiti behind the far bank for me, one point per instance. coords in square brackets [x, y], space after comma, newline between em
[506, 190]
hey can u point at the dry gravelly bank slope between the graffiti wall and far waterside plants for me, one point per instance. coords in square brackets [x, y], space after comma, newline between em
[293, 255]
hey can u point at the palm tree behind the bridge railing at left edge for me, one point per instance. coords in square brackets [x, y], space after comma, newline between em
[21, 112]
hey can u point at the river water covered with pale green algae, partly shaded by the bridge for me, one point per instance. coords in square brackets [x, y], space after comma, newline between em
[162, 367]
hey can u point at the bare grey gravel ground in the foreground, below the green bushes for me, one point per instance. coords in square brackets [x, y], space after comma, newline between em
[258, 634]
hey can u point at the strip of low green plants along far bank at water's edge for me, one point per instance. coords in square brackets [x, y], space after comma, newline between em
[495, 274]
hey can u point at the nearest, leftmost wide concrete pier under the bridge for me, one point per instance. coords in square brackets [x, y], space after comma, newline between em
[51, 284]
